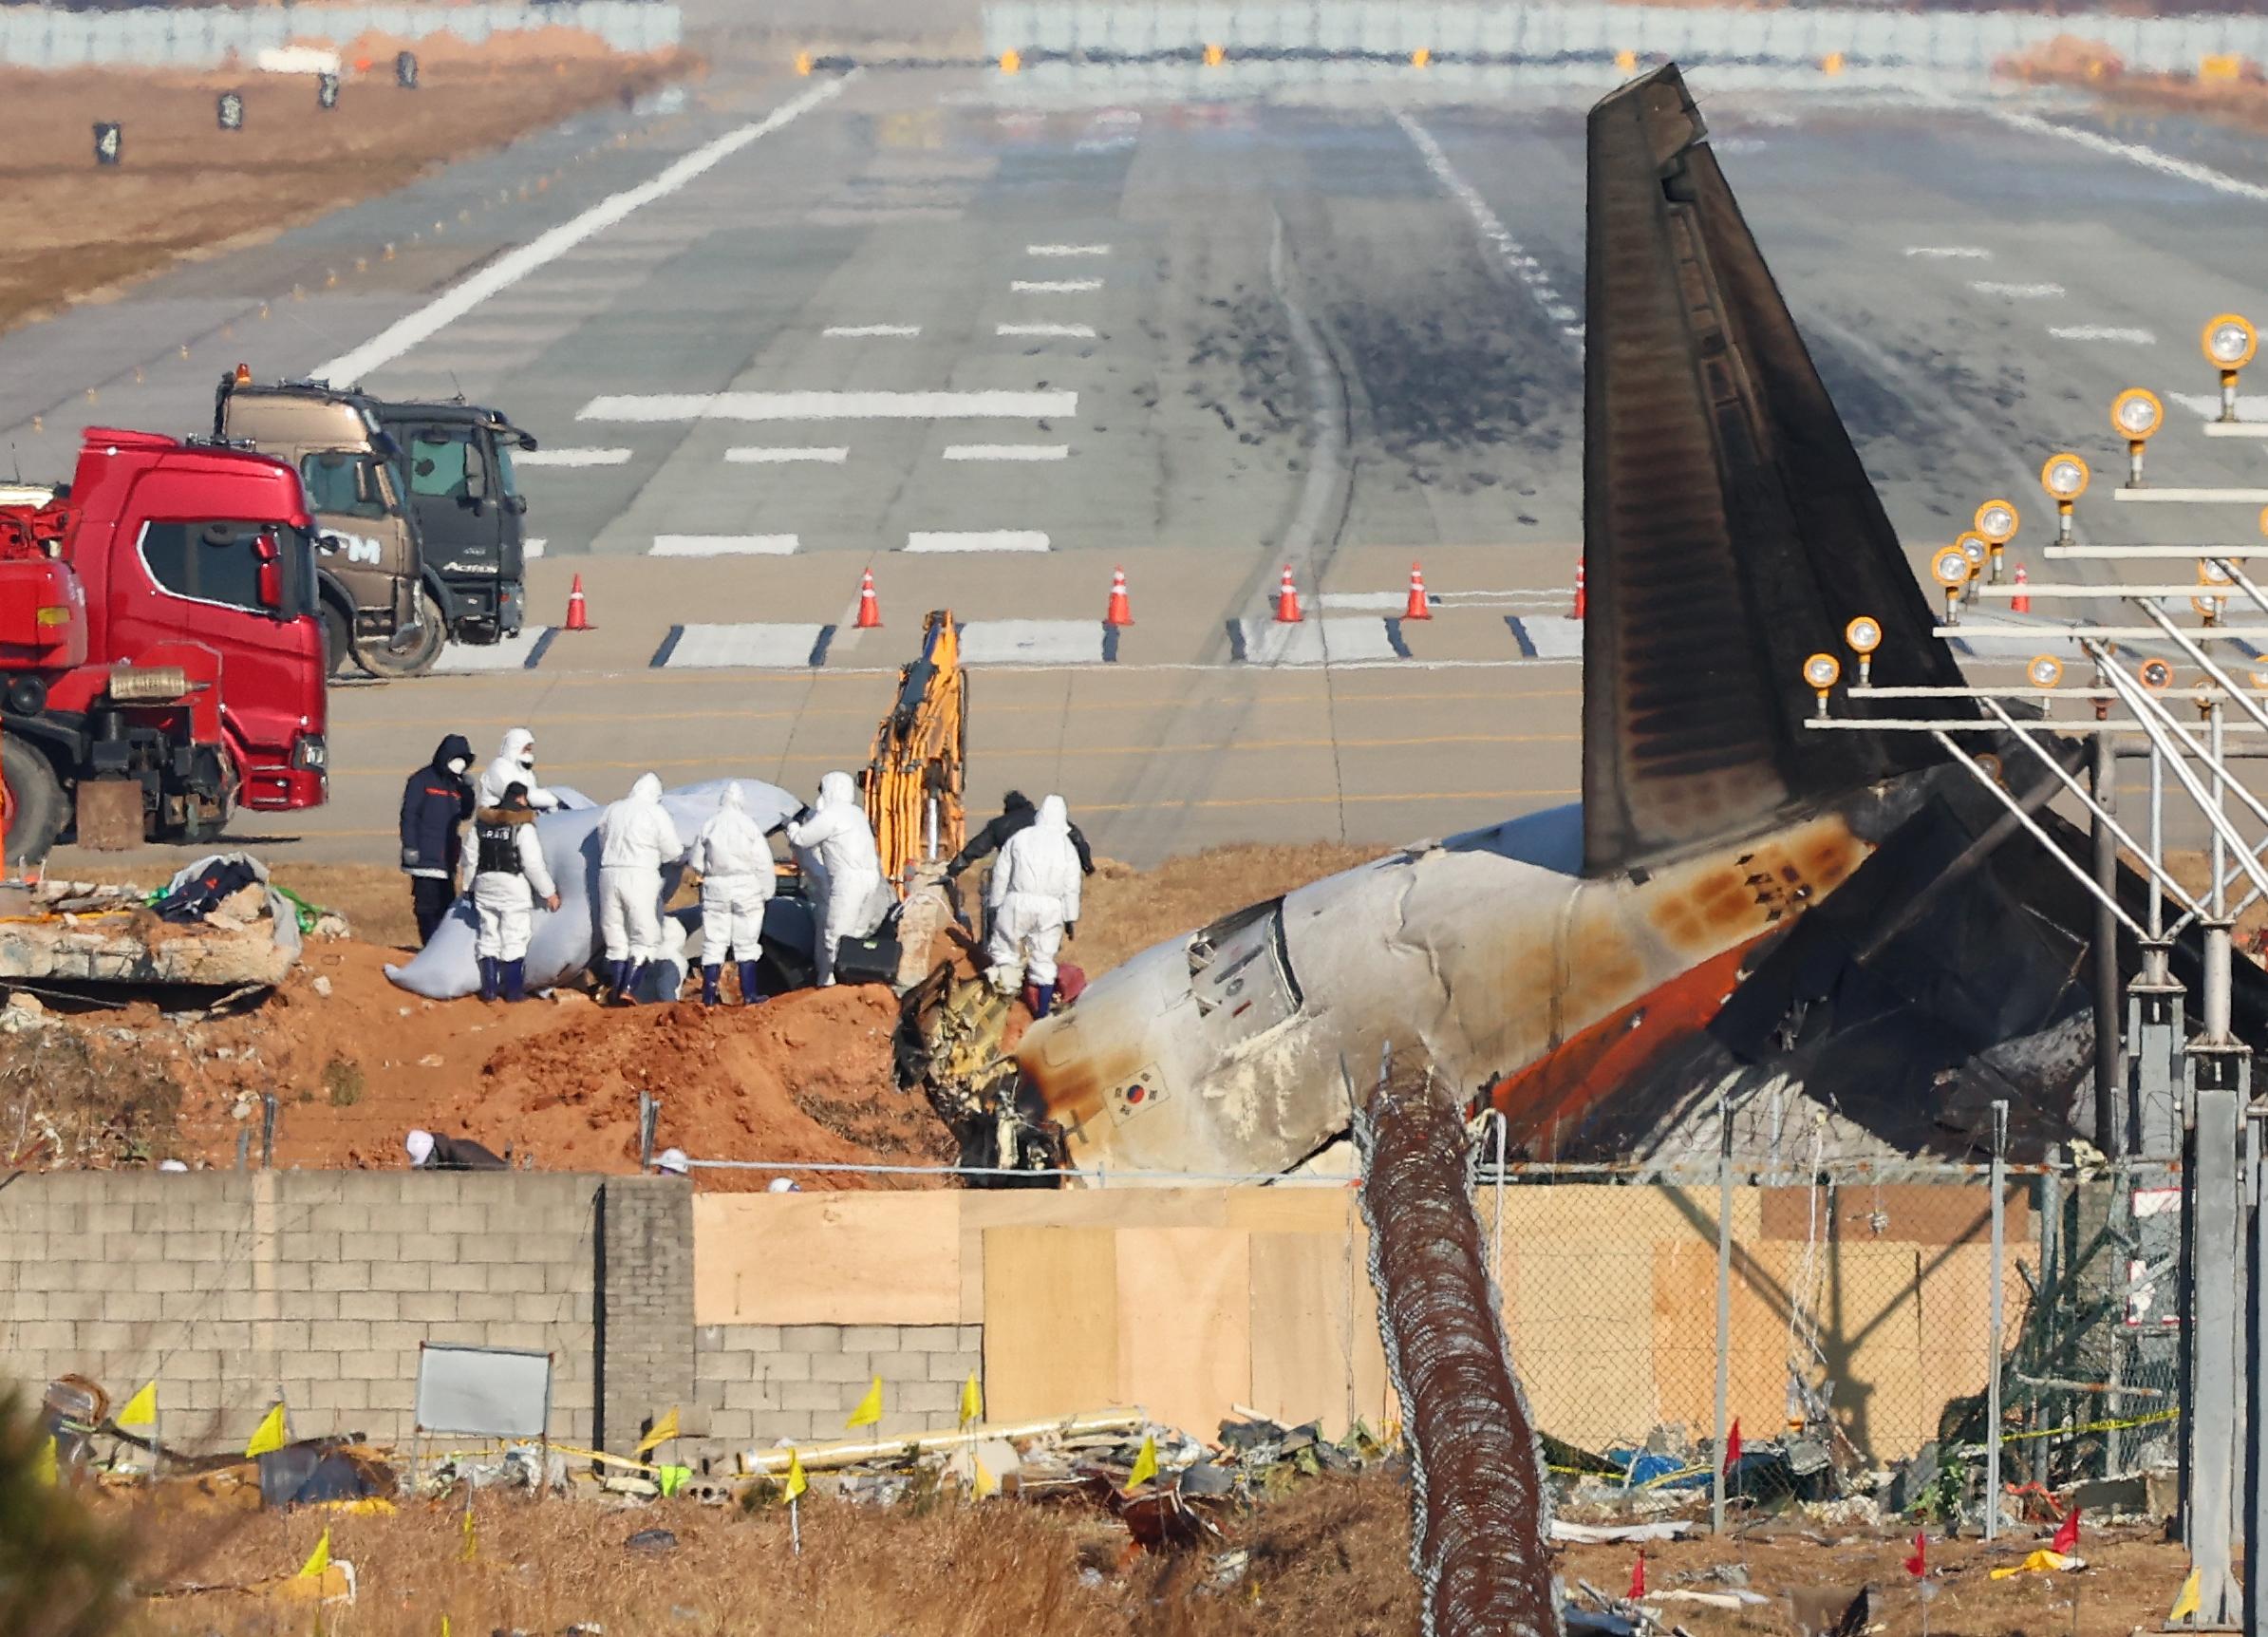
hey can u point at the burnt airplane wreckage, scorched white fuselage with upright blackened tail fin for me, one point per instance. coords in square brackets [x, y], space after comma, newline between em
[1736, 904]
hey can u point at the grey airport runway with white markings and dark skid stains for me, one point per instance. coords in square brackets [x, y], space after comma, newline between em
[992, 339]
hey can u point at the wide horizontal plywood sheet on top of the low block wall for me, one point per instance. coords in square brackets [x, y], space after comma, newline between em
[829, 1259]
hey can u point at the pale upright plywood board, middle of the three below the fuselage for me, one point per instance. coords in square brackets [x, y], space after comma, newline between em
[1185, 1325]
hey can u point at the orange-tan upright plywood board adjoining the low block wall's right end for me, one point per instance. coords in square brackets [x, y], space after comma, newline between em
[1051, 1323]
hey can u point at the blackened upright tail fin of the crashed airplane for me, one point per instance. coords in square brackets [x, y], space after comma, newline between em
[1729, 527]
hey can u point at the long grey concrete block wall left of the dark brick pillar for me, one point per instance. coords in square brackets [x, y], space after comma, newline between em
[235, 1289]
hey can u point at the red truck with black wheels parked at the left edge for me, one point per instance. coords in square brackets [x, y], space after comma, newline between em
[160, 647]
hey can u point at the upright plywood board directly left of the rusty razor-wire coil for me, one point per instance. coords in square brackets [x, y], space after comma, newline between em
[1317, 1334]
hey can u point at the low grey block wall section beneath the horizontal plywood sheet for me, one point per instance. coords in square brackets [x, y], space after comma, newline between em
[763, 1384]
